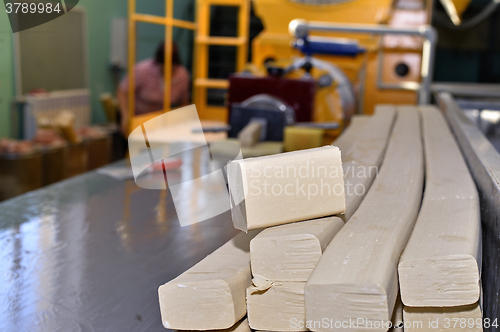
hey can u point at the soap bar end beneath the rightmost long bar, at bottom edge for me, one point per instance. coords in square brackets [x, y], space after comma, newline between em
[446, 319]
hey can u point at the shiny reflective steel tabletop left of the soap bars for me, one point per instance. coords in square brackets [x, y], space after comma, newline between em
[88, 253]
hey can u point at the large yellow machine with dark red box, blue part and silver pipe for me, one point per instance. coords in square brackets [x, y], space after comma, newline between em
[344, 62]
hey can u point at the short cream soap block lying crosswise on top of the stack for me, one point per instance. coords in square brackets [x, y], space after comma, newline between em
[284, 188]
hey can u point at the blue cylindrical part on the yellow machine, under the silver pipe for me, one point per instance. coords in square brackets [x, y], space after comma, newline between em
[328, 46]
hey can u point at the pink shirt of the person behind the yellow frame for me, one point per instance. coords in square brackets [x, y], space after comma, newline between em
[149, 86]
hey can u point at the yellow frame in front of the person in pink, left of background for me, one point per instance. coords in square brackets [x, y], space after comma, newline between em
[169, 22]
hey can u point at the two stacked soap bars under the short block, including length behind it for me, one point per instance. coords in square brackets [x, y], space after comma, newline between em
[286, 255]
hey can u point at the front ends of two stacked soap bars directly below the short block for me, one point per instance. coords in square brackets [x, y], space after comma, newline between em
[285, 255]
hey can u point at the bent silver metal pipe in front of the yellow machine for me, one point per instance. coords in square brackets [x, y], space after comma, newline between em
[300, 29]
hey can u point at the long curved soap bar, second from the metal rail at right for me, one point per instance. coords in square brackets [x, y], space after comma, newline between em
[357, 275]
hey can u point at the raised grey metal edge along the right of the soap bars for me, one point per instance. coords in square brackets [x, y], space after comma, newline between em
[484, 164]
